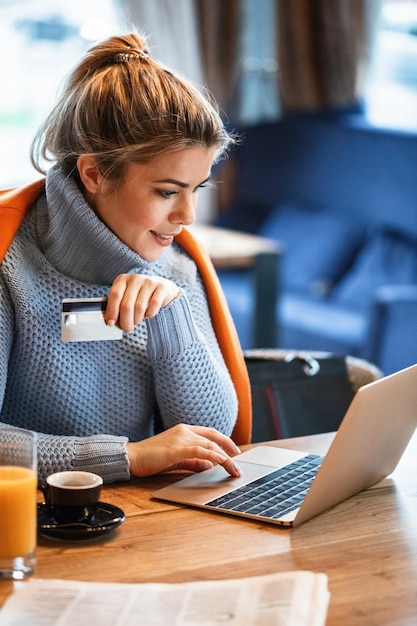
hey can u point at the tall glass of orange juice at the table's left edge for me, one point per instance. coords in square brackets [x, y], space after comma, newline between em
[18, 485]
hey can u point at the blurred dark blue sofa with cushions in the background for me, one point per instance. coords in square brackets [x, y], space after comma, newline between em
[341, 198]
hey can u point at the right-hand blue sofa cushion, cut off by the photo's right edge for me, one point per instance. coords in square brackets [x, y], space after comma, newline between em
[388, 258]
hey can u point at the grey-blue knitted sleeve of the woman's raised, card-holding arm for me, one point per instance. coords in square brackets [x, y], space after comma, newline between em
[192, 382]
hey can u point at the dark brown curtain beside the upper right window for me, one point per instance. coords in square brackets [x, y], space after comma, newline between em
[324, 50]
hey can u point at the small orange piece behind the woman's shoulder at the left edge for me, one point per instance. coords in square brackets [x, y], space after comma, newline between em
[14, 204]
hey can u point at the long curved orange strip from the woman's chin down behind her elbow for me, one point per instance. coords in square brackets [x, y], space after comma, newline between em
[226, 334]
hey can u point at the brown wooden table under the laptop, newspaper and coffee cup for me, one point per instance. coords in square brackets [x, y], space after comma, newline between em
[367, 545]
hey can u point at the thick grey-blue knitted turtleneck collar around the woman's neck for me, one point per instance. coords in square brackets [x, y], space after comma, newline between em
[75, 241]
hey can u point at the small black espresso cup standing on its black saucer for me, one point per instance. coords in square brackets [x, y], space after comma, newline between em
[72, 496]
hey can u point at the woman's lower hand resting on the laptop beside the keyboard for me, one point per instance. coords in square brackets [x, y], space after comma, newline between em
[193, 448]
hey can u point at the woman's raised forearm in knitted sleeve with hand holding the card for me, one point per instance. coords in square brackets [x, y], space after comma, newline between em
[192, 383]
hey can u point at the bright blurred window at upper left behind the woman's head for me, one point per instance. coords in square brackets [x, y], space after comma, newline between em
[40, 41]
